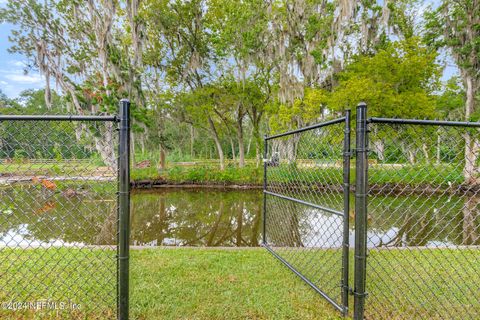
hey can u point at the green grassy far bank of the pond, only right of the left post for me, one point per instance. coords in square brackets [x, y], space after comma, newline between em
[251, 175]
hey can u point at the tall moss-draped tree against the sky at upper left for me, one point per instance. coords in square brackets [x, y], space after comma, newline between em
[80, 46]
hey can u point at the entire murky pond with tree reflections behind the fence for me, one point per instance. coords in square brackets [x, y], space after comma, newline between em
[217, 217]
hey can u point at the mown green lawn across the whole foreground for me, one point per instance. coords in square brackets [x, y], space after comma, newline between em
[237, 283]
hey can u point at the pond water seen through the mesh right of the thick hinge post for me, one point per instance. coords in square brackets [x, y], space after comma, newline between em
[435, 220]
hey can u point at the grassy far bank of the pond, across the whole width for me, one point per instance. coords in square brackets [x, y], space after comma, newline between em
[250, 175]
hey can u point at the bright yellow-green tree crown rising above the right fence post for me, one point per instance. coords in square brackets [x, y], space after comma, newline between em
[398, 81]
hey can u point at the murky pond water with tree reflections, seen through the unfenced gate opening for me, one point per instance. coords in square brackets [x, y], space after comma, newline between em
[197, 217]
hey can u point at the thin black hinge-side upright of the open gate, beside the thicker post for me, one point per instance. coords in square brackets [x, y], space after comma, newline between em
[346, 213]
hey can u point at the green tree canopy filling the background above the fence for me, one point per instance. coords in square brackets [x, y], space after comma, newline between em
[208, 78]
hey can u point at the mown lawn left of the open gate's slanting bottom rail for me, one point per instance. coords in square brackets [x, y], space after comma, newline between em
[165, 284]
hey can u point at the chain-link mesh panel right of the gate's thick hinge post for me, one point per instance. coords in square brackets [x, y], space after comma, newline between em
[423, 222]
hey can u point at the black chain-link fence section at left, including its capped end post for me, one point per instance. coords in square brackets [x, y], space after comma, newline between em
[64, 216]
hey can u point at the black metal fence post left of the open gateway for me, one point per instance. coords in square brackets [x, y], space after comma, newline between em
[123, 208]
